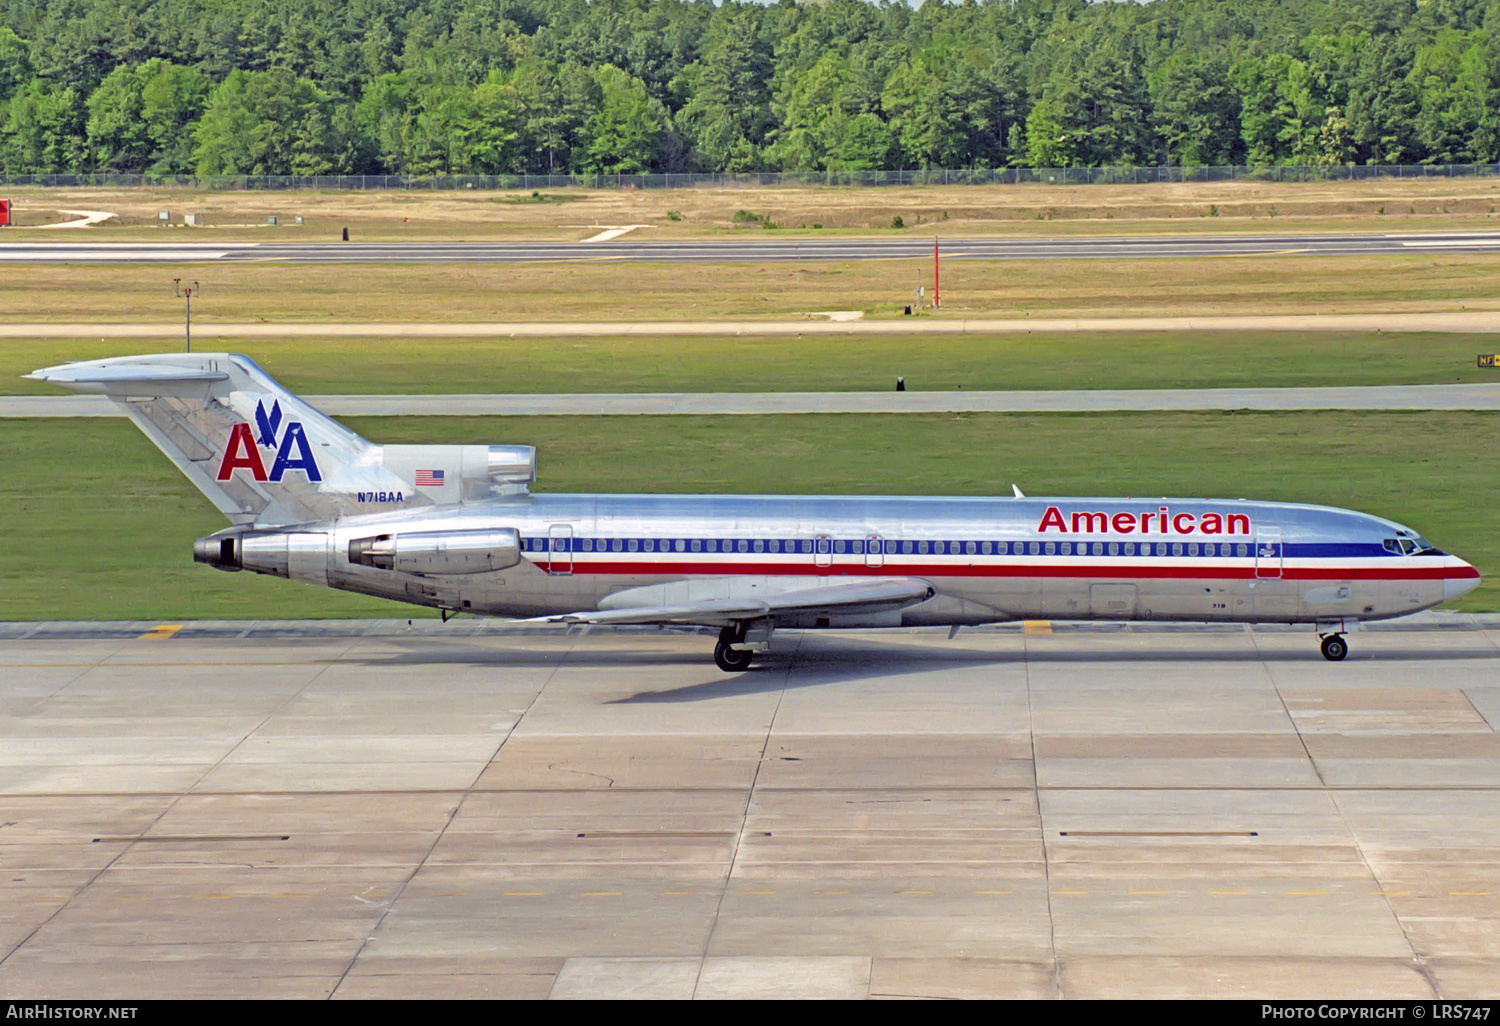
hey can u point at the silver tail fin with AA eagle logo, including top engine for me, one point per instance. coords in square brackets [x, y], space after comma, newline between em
[266, 458]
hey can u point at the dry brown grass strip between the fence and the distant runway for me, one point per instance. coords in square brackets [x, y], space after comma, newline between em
[1409, 205]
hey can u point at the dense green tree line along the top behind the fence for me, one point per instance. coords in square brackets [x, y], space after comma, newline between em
[626, 86]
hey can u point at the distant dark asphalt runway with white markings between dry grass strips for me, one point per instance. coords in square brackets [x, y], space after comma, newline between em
[703, 251]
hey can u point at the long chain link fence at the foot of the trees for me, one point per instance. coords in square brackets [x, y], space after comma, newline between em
[757, 179]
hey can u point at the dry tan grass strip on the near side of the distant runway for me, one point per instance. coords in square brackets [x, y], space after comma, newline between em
[626, 292]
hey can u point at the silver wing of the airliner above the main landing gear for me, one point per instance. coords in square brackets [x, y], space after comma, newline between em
[835, 599]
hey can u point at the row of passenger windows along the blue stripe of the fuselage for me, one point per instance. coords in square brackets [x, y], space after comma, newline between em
[878, 547]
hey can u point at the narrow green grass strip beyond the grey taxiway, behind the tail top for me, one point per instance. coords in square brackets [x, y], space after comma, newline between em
[818, 364]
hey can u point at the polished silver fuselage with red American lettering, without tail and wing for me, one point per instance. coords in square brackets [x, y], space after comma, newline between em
[986, 559]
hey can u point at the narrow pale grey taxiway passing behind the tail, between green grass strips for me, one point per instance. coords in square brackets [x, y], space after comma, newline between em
[1450, 398]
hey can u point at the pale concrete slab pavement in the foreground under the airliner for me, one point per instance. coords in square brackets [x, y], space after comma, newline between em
[473, 811]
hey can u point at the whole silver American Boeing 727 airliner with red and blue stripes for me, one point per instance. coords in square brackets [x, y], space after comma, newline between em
[457, 529]
